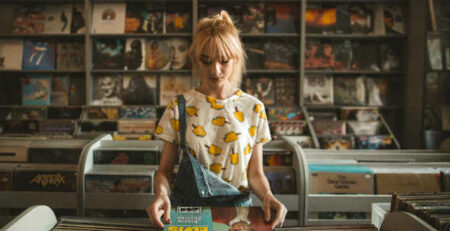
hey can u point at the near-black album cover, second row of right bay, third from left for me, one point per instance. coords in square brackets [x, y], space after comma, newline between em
[366, 56]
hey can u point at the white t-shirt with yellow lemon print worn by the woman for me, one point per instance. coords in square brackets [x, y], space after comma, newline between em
[220, 134]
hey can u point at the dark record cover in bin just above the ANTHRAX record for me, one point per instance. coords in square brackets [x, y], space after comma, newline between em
[54, 155]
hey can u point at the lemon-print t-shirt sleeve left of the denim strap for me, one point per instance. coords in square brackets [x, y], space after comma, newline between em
[169, 125]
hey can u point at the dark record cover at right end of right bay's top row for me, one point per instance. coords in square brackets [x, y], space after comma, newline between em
[394, 19]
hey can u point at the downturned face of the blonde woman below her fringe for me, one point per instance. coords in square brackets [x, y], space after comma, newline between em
[215, 72]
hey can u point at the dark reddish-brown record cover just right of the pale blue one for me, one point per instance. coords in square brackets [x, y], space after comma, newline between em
[60, 90]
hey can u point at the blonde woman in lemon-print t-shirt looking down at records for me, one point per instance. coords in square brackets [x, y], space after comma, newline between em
[226, 128]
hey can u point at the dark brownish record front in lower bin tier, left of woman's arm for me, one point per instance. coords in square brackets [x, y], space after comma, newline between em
[118, 184]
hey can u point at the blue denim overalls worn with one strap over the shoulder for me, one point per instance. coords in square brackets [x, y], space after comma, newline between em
[196, 185]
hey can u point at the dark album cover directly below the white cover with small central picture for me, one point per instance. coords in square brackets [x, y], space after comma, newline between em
[108, 53]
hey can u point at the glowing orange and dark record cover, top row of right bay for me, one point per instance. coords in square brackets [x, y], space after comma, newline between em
[320, 20]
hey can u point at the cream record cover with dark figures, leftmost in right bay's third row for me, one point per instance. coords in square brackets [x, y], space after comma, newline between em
[318, 89]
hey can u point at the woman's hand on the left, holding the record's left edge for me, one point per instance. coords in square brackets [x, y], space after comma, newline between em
[159, 207]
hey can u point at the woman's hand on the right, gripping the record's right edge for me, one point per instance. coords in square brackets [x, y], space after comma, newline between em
[271, 203]
